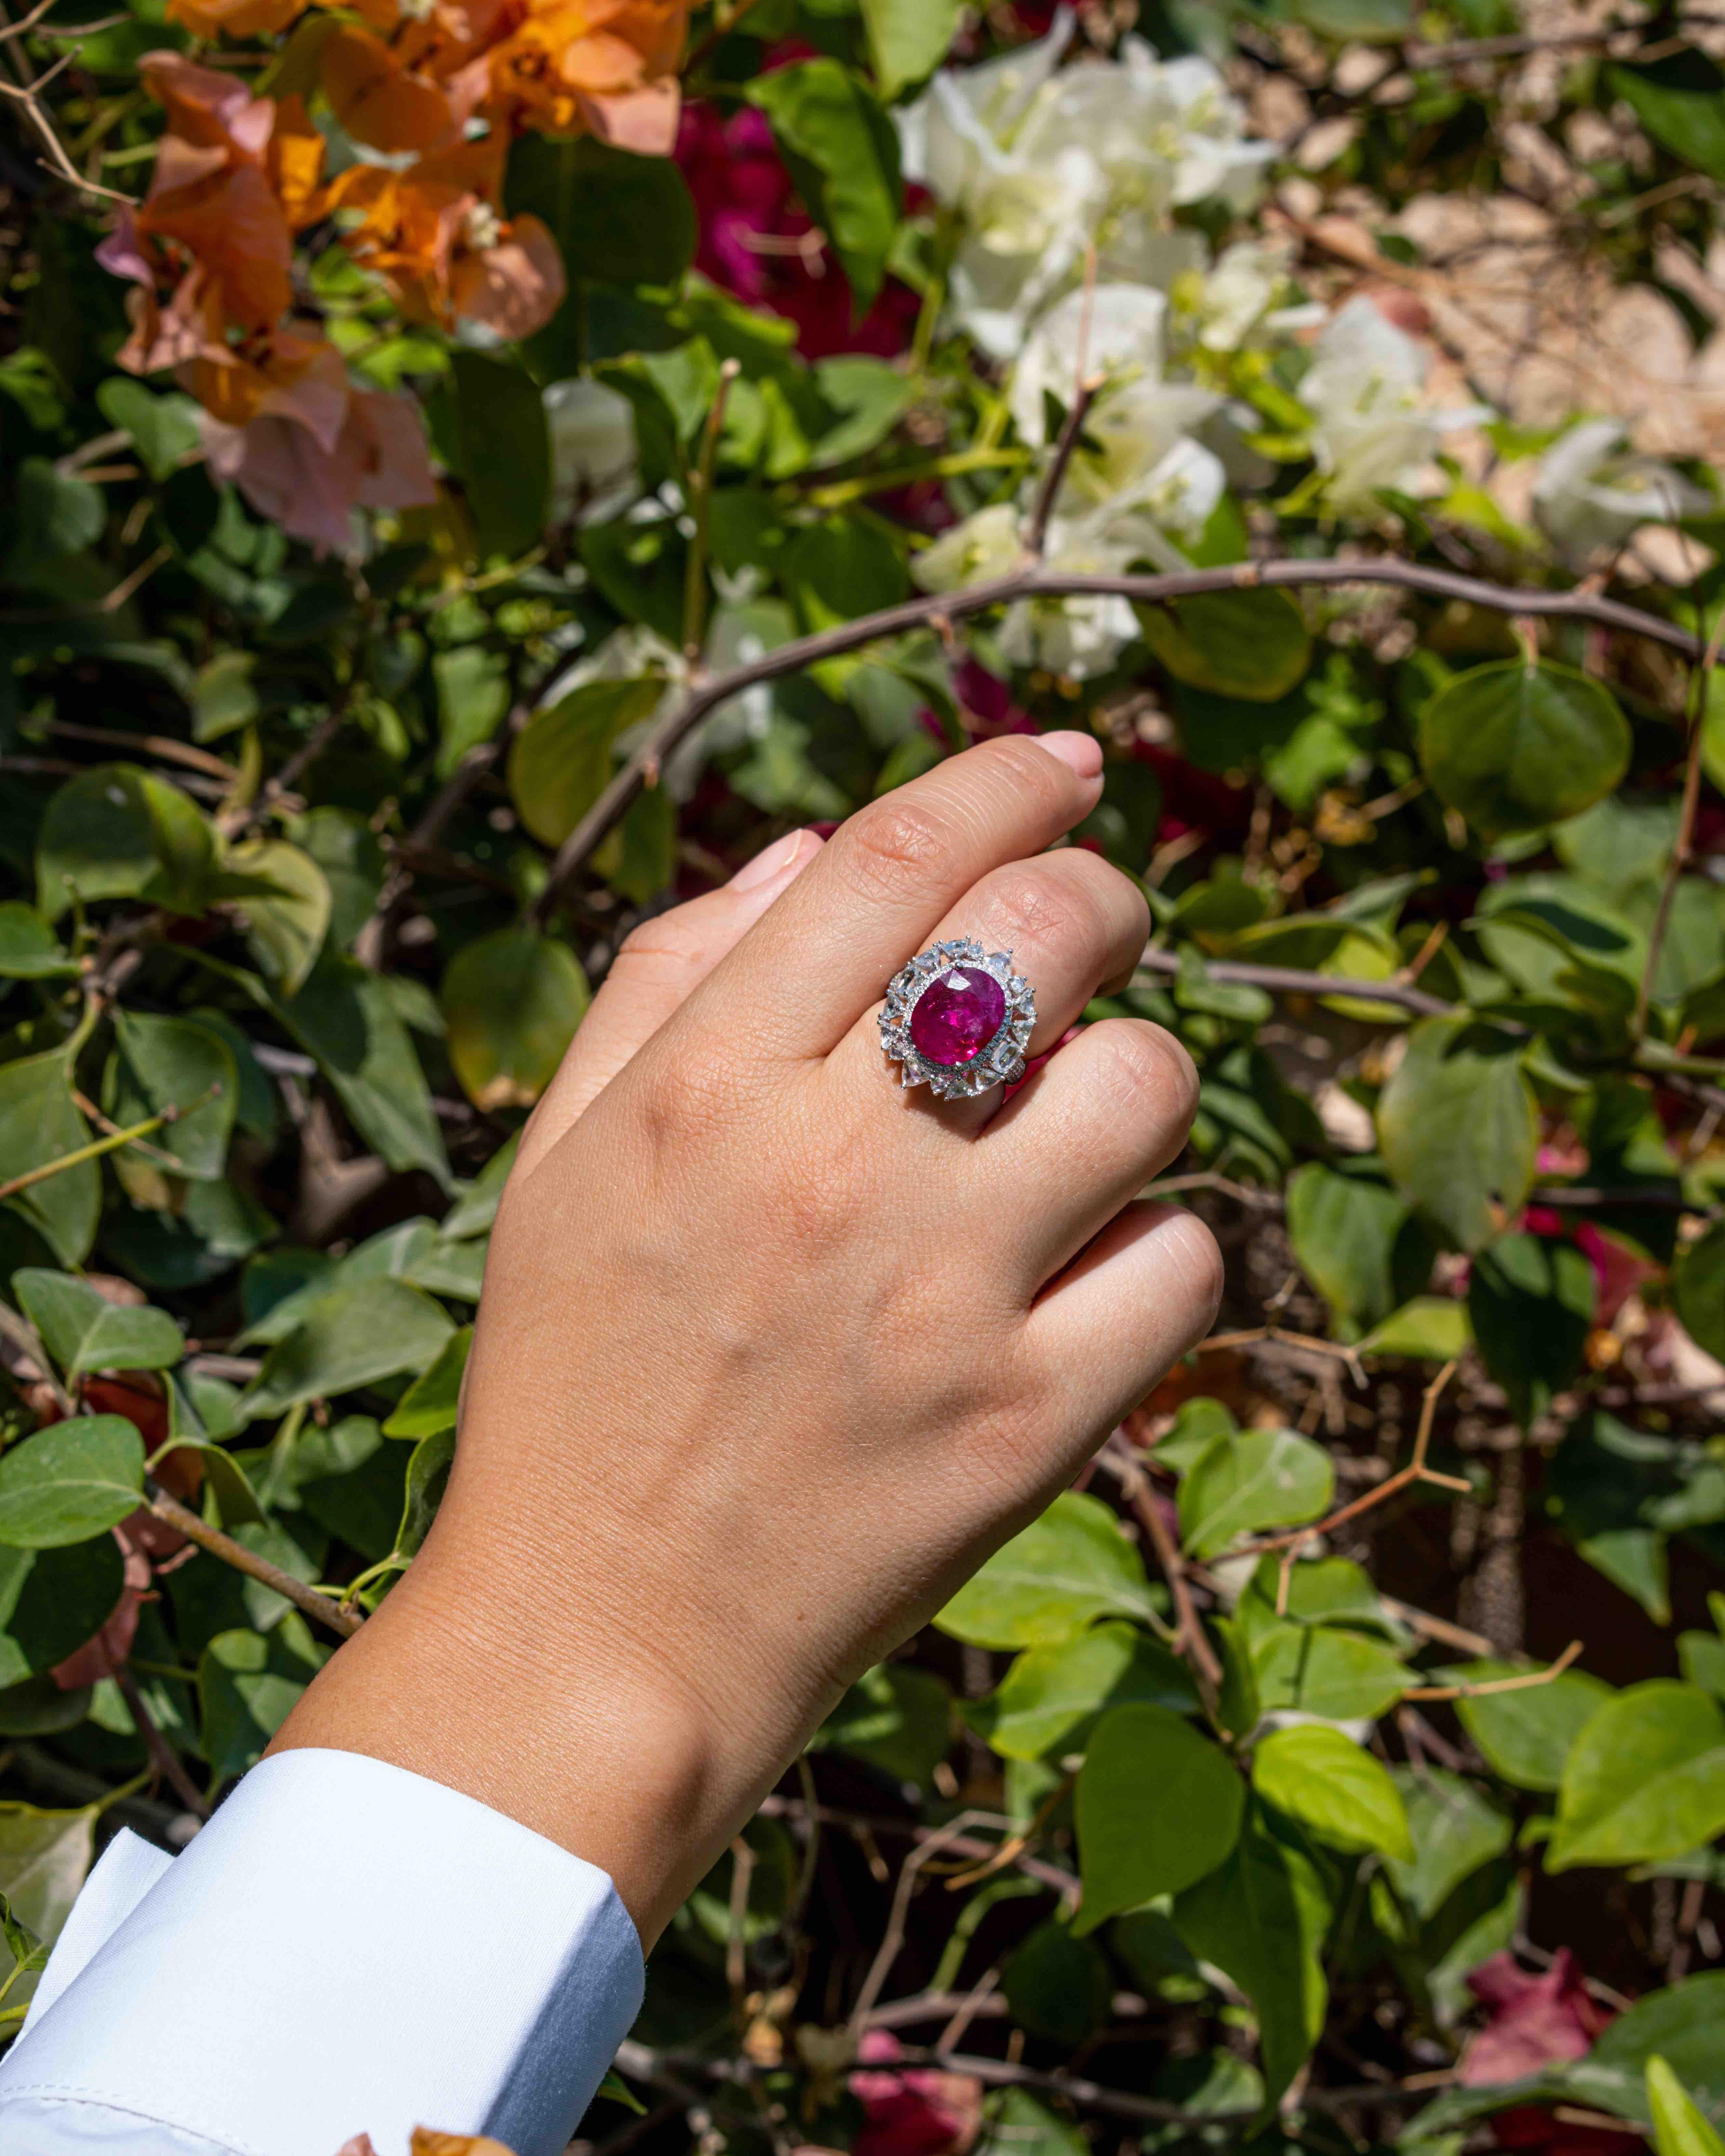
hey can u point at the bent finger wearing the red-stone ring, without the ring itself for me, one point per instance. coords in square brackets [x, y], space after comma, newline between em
[1073, 926]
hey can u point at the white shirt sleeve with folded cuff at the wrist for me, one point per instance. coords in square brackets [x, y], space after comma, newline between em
[344, 1950]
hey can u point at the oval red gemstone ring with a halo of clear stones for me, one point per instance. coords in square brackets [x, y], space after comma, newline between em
[958, 1019]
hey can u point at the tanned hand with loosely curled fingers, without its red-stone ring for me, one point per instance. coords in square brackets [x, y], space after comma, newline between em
[773, 1355]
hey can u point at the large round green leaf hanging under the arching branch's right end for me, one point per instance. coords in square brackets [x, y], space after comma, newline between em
[1517, 747]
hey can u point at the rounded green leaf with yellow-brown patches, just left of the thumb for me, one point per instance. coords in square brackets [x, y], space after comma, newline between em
[512, 1004]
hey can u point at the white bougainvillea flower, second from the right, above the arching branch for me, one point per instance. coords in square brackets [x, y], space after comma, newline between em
[1370, 421]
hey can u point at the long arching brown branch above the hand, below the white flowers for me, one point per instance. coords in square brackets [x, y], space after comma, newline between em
[1034, 583]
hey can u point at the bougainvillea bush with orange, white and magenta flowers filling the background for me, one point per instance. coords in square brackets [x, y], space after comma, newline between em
[480, 469]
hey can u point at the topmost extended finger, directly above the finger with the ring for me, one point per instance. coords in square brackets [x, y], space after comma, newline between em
[883, 883]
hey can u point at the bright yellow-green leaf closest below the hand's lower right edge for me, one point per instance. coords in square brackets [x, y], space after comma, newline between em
[1060, 1575]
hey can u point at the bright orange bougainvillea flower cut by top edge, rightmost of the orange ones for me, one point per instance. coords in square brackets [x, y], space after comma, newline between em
[605, 68]
